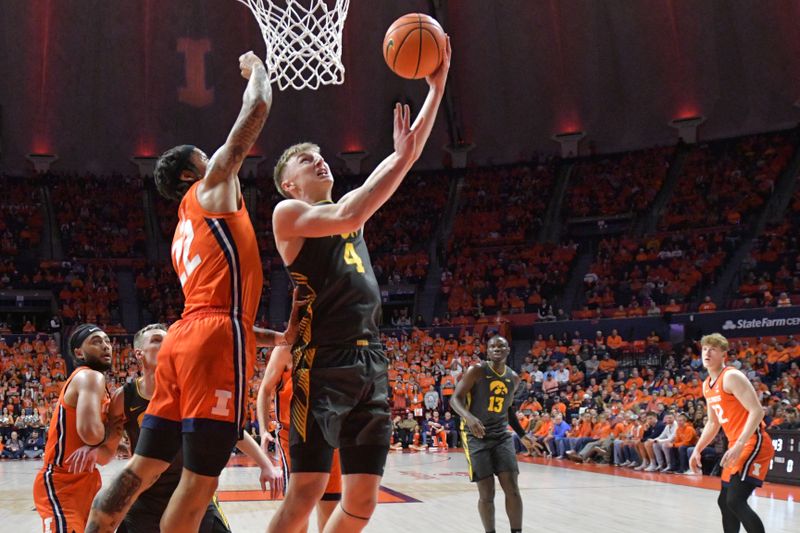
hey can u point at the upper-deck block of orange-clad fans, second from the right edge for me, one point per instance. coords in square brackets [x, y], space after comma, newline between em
[619, 184]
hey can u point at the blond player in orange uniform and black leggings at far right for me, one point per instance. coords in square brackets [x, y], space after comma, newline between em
[734, 406]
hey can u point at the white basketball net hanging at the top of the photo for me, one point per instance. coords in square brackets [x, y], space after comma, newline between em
[304, 40]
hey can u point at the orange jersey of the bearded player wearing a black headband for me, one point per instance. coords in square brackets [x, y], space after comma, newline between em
[62, 437]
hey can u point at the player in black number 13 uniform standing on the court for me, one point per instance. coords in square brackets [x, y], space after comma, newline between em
[484, 399]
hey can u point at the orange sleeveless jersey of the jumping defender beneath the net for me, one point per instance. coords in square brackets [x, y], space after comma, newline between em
[216, 258]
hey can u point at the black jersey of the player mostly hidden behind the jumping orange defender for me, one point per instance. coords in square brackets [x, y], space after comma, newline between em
[155, 498]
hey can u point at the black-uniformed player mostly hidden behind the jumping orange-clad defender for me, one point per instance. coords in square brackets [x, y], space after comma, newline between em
[131, 401]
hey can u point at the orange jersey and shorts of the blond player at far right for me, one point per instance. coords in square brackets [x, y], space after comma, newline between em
[753, 463]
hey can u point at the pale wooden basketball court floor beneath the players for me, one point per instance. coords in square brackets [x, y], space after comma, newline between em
[430, 491]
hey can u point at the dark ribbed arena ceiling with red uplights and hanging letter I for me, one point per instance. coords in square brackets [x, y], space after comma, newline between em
[98, 82]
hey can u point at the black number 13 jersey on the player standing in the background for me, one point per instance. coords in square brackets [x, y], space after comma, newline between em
[489, 399]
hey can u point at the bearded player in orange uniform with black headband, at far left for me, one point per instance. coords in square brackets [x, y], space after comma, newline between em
[81, 434]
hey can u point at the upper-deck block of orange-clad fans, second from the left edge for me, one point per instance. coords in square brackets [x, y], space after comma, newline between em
[99, 217]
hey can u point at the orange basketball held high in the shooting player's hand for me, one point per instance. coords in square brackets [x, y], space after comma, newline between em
[414, 46]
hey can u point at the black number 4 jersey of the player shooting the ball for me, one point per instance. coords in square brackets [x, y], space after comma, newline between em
[336, 275]
